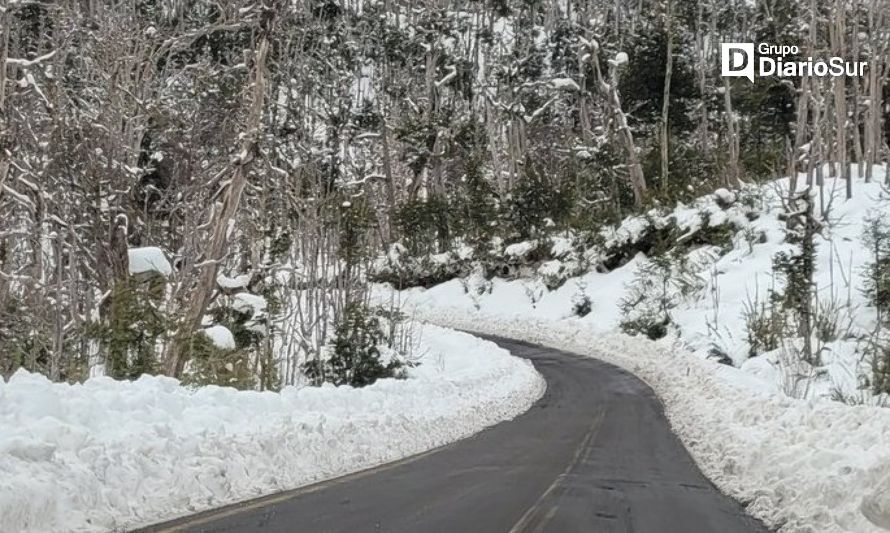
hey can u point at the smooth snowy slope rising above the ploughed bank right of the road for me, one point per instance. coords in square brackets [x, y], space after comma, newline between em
[714, 316]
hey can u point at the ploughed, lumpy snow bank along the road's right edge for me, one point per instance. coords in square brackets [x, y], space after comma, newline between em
[798, 465]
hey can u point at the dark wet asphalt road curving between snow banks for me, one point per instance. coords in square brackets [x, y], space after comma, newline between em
[594, 455]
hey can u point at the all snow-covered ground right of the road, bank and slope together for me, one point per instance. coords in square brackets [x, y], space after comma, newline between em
[765, 431]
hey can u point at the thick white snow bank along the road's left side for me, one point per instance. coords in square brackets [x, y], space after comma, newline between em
[107, 455]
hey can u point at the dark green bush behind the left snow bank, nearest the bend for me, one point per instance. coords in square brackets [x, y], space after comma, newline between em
[355, 357]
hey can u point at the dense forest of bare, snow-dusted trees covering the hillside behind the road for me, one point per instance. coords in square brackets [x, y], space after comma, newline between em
[168, 167]
